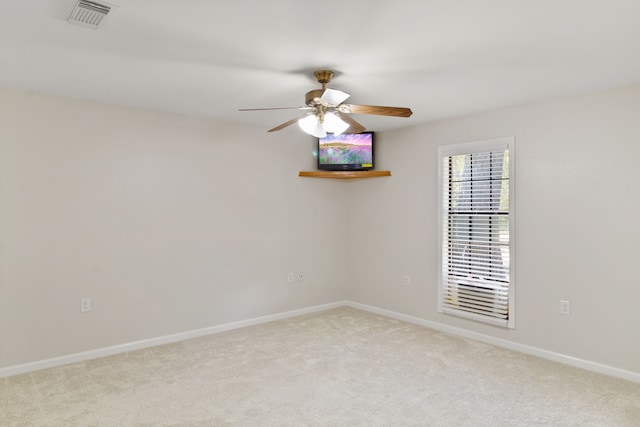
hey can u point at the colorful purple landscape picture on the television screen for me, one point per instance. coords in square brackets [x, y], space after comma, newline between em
[345, 149]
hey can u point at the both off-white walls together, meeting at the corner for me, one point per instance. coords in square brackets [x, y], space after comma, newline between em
[173, 223]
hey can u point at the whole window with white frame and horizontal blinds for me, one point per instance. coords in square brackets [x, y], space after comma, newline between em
[476, 236]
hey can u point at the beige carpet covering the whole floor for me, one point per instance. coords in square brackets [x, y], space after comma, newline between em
[341, 367]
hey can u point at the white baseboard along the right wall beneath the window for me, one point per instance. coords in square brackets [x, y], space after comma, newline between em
[534, 351]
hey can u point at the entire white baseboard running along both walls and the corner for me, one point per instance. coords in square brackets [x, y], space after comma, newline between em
[137, 345]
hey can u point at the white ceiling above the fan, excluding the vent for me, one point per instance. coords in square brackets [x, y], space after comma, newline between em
[441, 58]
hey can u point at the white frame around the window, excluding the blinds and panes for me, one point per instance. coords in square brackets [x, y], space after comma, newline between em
[445, 152]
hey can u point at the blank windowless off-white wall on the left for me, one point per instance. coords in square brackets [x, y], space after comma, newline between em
[169, 223]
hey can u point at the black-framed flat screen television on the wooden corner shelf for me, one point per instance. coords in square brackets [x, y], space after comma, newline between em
[346, 152]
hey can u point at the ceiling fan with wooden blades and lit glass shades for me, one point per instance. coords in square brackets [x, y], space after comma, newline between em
[326, 112]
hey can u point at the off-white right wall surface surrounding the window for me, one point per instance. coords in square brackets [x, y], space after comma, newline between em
[577, 228]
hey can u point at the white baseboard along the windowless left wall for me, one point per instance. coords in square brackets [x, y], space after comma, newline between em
[152, 342]
